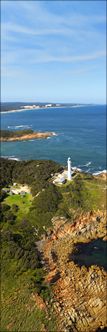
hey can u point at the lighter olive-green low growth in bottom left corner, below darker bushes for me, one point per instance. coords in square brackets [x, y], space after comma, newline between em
[19, 309]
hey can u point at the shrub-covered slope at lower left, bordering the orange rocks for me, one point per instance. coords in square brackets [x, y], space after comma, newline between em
[22, 277]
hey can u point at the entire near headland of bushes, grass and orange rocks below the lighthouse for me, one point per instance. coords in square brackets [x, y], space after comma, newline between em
[54, 247]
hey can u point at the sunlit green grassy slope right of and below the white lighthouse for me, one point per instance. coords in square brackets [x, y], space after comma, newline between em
[85, 195]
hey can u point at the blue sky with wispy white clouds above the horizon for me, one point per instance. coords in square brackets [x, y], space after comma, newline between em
[53, 51]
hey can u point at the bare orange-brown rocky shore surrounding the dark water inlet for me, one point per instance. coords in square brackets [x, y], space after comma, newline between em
[79, 292]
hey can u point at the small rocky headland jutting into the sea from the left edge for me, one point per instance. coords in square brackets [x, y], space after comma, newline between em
[20, 135]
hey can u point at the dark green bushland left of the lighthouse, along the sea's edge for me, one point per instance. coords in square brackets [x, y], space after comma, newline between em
[35, 173]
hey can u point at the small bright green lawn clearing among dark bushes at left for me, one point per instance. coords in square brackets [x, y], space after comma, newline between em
[23, 203]
